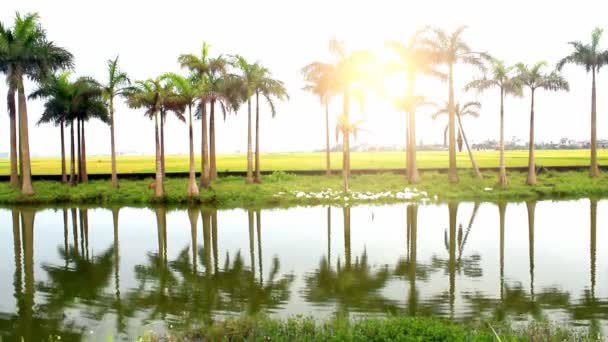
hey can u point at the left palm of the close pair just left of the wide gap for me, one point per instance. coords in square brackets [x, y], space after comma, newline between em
[250, 75]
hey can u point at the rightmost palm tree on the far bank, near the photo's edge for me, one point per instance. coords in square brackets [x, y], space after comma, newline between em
[592, 58]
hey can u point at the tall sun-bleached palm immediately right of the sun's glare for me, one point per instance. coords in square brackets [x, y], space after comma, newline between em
[413, 60]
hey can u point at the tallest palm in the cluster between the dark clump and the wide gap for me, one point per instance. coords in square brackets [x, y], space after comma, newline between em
[202, 65]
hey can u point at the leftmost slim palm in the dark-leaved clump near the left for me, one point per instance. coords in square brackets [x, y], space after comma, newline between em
[57, 90]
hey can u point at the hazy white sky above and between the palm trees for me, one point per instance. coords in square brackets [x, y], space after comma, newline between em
[286, 35]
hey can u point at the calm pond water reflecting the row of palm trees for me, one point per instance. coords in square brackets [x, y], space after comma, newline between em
[103, 272]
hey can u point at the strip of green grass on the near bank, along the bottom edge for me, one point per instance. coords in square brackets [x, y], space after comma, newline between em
[385, 329]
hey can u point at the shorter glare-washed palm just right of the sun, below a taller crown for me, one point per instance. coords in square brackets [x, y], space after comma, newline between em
[410, 105]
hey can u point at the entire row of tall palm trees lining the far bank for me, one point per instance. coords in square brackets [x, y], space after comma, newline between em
[230, 81]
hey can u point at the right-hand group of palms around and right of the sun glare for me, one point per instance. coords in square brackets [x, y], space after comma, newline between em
[435, 53]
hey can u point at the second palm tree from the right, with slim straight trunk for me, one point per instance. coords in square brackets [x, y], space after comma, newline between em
[534, 78]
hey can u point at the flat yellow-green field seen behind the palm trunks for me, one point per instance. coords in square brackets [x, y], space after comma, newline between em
[316, 161]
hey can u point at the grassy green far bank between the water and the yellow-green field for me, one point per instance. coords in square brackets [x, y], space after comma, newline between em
[281, 189]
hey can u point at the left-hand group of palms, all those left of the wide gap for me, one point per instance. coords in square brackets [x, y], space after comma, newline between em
[223, 81]
